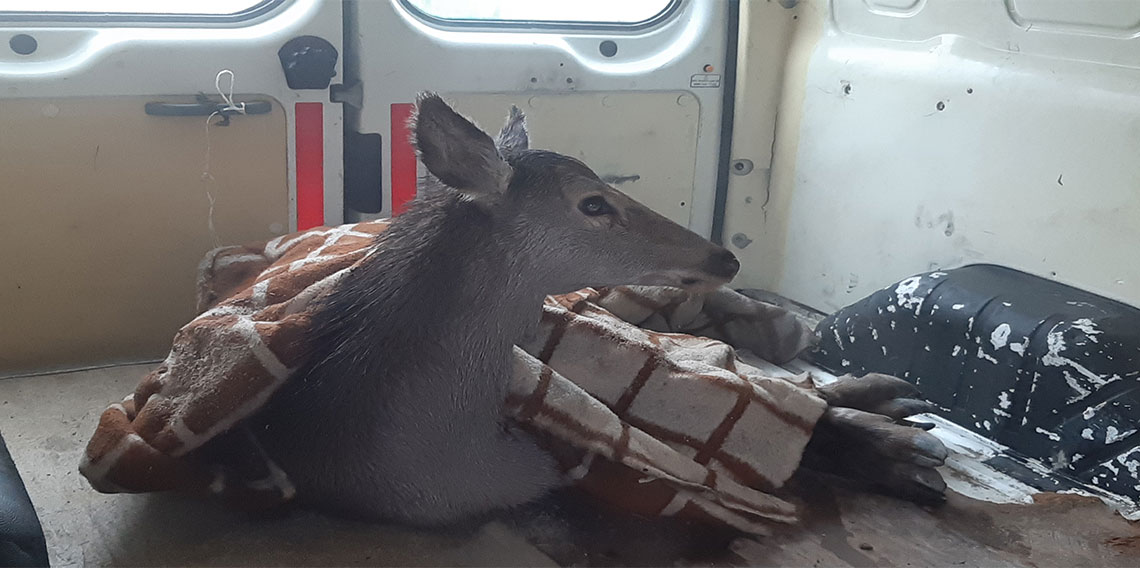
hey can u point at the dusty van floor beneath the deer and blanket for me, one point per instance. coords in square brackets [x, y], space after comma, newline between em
[47, 420]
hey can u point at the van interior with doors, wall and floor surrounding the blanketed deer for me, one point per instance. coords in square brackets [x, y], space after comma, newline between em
[947, 192]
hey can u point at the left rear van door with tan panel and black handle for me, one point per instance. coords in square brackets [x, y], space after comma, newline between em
[133, 142]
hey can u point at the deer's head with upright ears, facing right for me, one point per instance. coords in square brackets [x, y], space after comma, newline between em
[573, 230]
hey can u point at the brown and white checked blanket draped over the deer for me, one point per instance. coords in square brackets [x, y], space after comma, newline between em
[632, 388]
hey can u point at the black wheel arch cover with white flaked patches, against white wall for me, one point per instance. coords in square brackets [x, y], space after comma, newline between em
[1048, 370]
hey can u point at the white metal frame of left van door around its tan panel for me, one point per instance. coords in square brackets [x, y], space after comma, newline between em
[89, 59]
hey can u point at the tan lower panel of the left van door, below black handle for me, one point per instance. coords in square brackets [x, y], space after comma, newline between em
[108, 214]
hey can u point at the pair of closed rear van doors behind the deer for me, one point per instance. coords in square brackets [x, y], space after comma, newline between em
[105, 236]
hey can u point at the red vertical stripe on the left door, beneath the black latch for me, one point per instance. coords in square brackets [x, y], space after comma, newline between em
[311, 166]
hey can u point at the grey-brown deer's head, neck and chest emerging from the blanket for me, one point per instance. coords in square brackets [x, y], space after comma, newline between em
[398, 413]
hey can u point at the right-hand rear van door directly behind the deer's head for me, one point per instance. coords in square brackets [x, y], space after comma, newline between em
[634, 90]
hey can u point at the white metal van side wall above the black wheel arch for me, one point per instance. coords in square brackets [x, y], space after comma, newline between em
[916, 135]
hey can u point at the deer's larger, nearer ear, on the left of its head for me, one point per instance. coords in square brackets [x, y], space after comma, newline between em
[457, 151]
